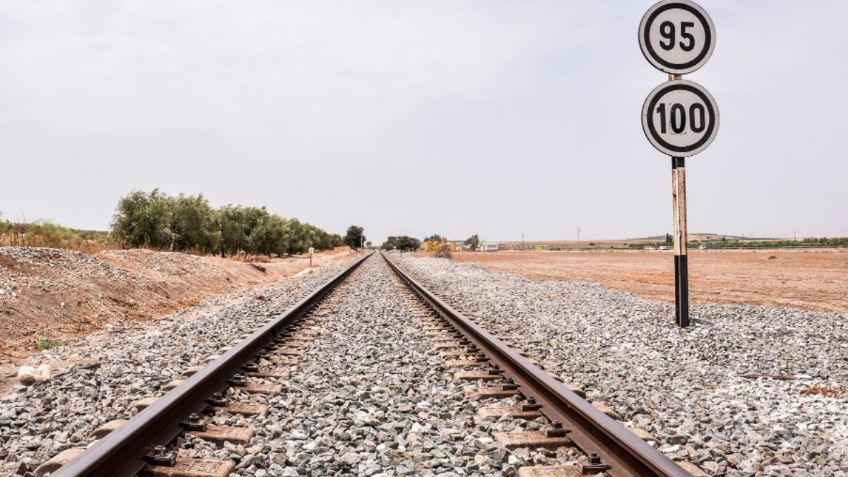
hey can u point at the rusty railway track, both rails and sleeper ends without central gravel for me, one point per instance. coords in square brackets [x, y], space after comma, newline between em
[241, 378]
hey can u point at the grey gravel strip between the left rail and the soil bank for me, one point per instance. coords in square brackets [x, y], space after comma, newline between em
[121, 365]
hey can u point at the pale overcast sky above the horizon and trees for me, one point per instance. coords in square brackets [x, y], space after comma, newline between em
[451, 117]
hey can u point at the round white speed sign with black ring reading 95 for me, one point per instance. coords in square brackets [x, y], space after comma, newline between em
[677, 36]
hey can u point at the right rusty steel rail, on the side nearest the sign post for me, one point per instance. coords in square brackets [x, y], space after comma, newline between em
[591, 429]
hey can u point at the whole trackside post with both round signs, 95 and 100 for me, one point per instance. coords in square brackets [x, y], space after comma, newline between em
[680, 118]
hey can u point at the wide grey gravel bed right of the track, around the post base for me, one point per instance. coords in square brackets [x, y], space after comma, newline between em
[739, 393]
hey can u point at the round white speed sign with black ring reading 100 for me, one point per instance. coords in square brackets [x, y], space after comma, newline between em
[680, 118]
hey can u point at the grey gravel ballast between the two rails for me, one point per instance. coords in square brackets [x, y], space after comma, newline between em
[371, 396]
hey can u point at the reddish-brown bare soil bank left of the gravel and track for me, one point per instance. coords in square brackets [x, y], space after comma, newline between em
[60, 295]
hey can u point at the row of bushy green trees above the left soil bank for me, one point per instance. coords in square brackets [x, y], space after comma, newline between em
[185, 222]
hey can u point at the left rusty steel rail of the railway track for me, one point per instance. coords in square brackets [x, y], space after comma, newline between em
[122, 452]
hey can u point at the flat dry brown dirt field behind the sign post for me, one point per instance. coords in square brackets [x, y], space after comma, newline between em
[809, 279]
